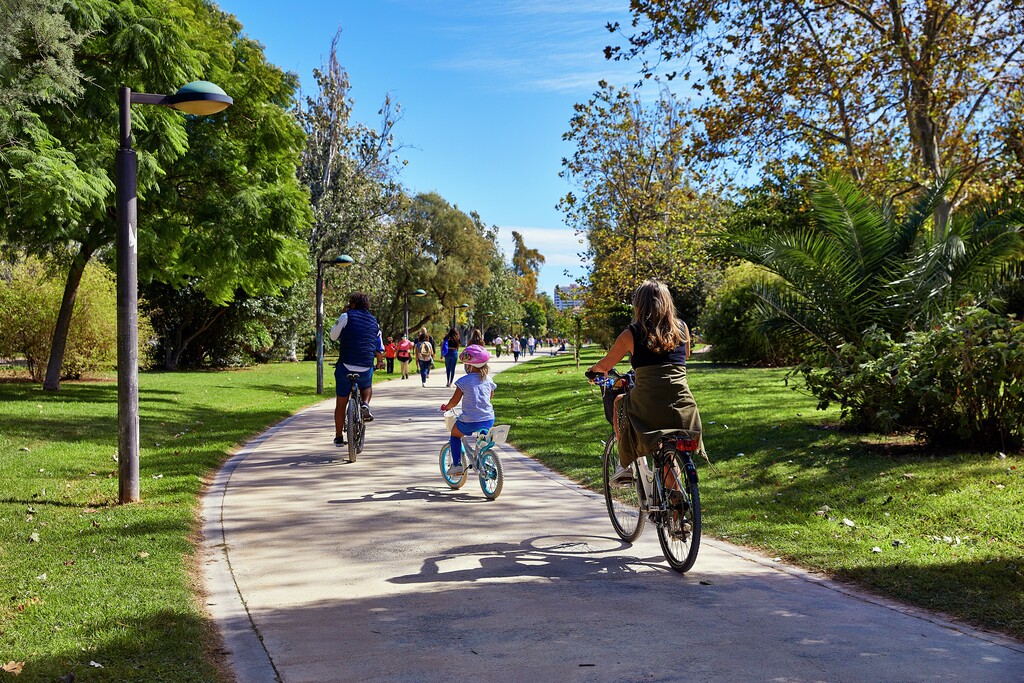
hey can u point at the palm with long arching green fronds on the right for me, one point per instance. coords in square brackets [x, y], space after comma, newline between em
[864, 265]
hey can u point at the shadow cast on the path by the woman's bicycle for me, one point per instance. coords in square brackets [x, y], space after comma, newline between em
[577, 558]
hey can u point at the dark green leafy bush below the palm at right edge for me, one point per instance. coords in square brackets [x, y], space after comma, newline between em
[962, 380]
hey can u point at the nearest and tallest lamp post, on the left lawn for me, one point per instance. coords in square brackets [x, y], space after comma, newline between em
[199, 98]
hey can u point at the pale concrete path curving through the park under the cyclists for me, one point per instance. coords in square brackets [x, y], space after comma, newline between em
[324, 571]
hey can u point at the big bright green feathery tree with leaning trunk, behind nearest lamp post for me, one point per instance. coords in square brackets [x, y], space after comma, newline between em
[223, 206]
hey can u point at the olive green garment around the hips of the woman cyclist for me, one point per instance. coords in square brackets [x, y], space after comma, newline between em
[661, 403]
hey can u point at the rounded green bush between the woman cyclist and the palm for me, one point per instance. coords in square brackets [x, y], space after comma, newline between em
[731, 324]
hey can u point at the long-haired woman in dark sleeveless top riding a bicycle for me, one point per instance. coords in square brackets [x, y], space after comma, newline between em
[661, 402]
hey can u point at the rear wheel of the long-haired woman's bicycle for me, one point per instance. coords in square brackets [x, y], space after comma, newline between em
[679, 531]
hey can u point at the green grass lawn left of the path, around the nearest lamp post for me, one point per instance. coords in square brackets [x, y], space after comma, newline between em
[83, 580]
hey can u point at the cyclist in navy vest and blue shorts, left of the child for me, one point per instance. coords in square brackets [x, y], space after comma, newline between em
[362, 350]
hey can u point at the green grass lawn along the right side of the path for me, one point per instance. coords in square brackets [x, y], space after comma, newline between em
[940, 531]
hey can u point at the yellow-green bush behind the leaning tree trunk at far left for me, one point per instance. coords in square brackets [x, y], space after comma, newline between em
[30, 302]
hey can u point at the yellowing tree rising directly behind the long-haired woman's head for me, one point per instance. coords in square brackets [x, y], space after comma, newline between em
[634, 201]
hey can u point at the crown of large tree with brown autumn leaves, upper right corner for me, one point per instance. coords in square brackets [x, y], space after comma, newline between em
[898, 95]
